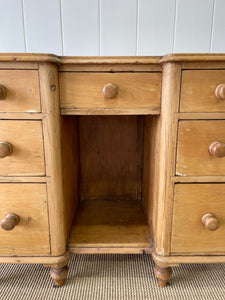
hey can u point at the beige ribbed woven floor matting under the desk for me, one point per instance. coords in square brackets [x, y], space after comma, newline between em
[121, 277]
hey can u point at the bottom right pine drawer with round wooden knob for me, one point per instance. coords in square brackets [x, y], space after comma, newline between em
[192, 233]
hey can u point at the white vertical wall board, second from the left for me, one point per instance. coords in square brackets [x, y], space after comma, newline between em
[43, 26]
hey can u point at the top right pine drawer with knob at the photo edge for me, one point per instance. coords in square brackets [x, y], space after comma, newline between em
[199, 92]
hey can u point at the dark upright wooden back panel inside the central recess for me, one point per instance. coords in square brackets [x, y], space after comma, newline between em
[109, 157]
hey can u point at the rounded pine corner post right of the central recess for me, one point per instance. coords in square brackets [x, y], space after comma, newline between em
[166, 138]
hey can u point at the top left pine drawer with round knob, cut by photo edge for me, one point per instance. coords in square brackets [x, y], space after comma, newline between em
[19, 90]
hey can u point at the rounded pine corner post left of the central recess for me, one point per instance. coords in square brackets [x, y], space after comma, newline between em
[49, 89]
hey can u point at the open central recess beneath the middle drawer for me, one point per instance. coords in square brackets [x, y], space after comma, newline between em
[105, 168]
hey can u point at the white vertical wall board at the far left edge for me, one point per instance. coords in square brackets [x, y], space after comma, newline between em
[11, 24]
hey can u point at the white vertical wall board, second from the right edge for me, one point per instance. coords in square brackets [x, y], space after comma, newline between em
[193, 26]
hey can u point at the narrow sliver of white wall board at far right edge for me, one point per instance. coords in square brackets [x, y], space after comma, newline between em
[218, 37]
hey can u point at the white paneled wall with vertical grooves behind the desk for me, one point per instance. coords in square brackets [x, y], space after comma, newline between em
[112, 27]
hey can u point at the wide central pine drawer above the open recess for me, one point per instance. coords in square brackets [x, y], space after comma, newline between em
[129, 90]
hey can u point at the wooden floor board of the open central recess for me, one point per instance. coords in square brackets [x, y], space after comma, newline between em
[110, 224]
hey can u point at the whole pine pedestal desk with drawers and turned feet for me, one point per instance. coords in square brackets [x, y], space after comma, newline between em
[112, 155]
